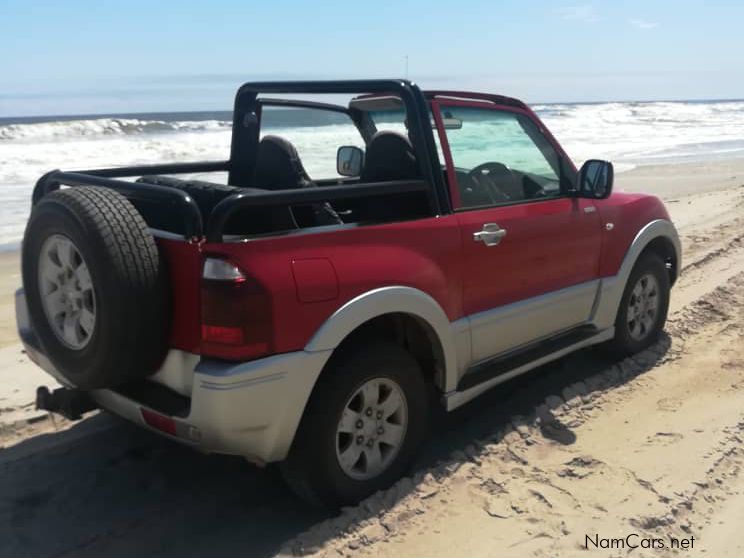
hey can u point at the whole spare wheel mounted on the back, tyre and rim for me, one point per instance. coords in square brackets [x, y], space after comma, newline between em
[95, 286]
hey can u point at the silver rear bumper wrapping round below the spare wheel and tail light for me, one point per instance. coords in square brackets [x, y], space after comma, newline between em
[250, 409]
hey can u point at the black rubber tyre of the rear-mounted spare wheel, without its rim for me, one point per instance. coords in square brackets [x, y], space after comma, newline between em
[132, 303]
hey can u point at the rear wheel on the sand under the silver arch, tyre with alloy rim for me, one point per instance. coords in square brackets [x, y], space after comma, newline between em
[313, 469]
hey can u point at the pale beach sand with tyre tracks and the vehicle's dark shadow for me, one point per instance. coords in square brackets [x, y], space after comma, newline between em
[647, 450]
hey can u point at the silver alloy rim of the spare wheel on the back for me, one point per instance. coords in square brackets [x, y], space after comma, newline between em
[67, 293]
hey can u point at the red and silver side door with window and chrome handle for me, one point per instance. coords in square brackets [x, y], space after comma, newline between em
[530, 252]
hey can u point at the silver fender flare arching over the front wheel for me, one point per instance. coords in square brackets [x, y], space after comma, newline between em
[611, 288]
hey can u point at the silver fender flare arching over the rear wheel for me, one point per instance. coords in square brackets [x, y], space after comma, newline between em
[387, 300]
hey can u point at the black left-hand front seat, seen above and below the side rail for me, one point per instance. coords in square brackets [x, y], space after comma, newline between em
[278, 167]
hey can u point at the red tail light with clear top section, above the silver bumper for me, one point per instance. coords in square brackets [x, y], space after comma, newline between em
[235, 312]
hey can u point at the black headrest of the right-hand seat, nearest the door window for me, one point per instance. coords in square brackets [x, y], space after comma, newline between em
[389, 157]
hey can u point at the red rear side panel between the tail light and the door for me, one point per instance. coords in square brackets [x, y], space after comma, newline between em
[424, 254]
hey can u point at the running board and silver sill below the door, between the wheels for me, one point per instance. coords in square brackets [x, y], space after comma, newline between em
[484, 375]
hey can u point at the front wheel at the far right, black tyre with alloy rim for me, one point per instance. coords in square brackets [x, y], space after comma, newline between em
[633, 334]
